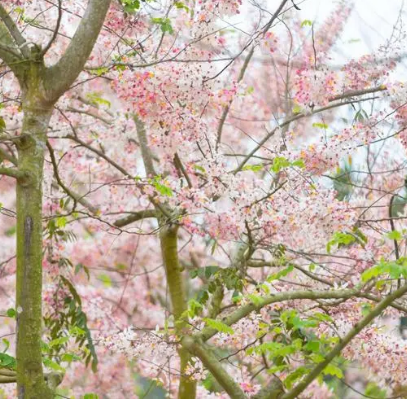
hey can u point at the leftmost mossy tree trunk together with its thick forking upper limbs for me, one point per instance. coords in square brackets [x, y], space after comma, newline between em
[41, 87]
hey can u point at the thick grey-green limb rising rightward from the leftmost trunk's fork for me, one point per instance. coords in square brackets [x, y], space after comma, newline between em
[67, 69]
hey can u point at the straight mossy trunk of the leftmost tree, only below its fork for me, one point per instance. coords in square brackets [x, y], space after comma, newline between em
[31, 146]
